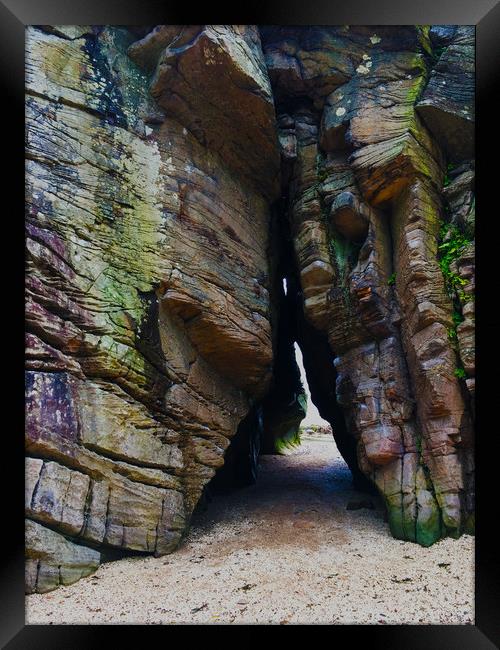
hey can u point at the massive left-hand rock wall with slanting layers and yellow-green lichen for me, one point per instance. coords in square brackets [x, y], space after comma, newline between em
[148, 331]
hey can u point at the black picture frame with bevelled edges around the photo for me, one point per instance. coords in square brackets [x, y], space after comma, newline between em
[485, 15]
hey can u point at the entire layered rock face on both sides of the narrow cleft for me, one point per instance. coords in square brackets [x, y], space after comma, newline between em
[173, 182]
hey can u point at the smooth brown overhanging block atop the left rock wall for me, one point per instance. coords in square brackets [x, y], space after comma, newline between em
[212, 80]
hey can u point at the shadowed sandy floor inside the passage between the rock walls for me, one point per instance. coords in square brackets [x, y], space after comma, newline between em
[304, 497]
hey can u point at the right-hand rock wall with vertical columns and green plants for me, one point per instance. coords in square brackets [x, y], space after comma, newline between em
[361, 113]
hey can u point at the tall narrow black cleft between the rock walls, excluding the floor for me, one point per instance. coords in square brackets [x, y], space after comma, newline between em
[274, 423]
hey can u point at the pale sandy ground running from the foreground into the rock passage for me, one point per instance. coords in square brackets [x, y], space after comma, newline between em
[283, 551]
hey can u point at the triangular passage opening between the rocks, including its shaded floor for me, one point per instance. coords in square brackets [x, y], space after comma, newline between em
[284, 480]
